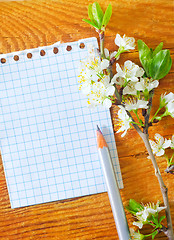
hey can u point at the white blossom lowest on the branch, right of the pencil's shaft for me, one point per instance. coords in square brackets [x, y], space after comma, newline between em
[147, 212]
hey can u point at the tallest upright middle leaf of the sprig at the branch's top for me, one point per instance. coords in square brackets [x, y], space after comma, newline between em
[97, 14]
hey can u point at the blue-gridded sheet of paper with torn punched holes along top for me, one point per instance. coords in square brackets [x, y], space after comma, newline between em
[48, 139]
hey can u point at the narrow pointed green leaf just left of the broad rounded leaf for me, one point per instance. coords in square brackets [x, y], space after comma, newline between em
[145, 55]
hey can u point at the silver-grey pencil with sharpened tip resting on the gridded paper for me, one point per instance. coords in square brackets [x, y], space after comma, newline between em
[112, 187]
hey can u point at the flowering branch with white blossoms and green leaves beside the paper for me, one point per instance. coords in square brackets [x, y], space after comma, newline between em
[136, 92]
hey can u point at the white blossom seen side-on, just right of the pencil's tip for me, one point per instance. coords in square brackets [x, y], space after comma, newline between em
[124, 121]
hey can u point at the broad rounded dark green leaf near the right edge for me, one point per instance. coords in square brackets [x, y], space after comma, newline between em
[160, 64]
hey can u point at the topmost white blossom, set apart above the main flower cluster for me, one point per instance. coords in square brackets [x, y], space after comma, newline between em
[125, 42]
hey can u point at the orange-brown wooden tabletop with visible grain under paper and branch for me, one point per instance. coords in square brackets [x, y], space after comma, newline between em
[31, 24]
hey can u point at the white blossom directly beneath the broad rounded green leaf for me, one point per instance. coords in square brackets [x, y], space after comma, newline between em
[146, 83]
